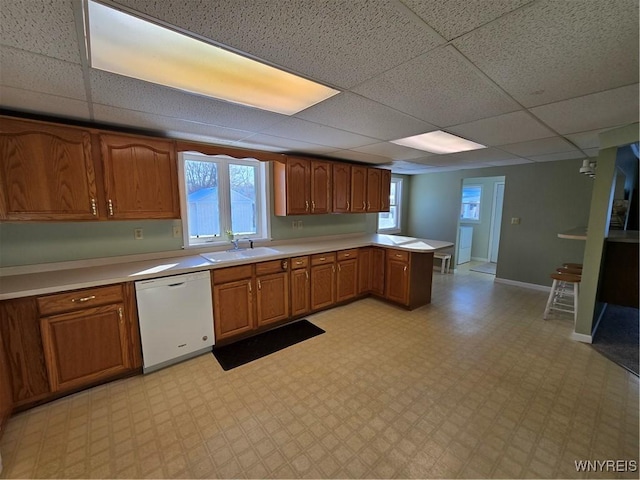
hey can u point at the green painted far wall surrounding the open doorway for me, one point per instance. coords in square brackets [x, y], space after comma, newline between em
[548, 198]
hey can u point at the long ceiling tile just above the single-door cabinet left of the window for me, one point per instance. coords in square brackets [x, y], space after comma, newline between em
[169, 126]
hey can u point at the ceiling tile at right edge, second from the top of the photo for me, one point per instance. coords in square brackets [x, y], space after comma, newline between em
[590, 112]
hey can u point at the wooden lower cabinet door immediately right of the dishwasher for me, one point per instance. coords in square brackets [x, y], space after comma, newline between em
[233, 308]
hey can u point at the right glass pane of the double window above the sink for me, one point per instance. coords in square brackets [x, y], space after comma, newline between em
[242, 180]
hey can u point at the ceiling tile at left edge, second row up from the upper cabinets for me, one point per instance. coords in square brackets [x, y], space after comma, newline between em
[29, 71]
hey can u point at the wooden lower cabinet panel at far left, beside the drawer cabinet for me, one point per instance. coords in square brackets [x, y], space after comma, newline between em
[20, 331]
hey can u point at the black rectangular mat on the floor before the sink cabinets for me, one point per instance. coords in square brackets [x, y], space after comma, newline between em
[258, 346]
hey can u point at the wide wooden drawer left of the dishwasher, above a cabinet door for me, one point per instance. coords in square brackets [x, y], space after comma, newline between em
[79, 299]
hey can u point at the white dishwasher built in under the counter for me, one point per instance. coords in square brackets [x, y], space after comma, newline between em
[176, 318]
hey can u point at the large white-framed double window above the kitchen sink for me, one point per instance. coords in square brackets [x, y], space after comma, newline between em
[222, 196]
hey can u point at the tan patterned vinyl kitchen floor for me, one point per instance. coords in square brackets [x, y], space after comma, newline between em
[474, 385]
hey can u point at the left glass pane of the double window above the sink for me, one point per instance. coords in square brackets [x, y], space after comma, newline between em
[202, 198]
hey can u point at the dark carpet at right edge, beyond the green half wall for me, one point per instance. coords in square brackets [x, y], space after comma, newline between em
[617, 336]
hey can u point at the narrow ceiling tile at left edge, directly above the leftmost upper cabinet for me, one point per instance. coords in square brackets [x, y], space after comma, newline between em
[44, 104]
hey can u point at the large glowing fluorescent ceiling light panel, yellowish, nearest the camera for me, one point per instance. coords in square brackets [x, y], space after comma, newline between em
[127, 45]
